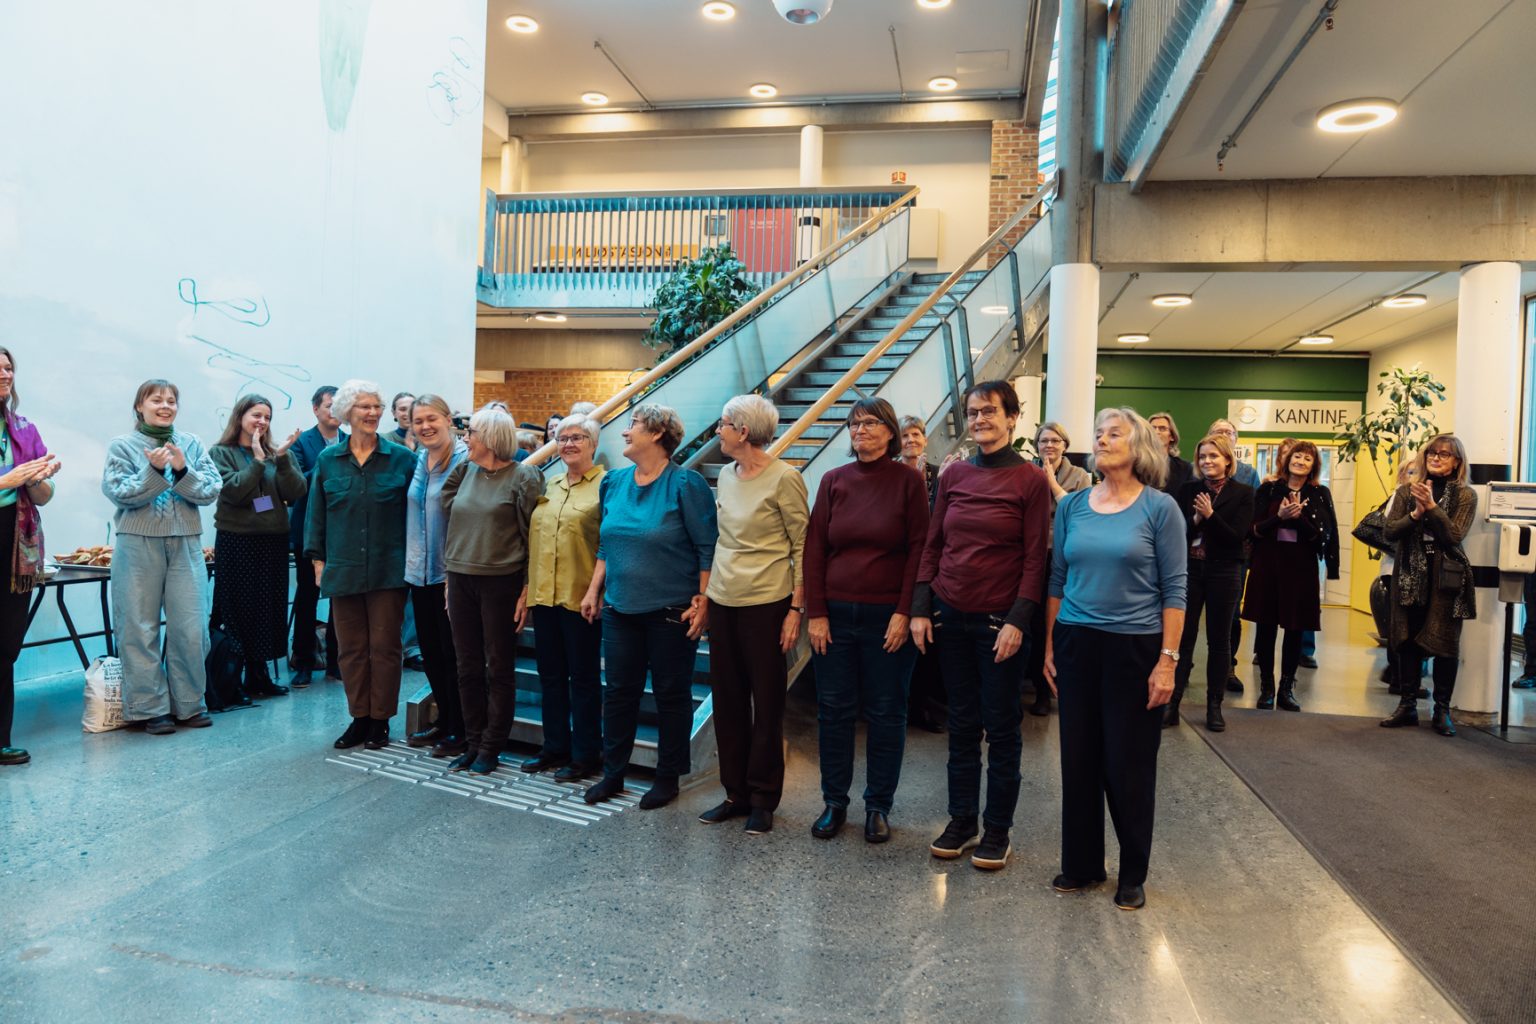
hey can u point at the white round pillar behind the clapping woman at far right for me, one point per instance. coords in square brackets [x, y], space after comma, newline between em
[1489, 378]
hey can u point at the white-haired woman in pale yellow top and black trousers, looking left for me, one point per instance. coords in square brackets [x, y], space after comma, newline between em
[756, 607]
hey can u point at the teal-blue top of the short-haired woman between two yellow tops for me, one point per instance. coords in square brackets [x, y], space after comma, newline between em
[655, 540]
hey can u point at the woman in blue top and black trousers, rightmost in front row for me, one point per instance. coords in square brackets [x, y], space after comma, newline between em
[1114, 616]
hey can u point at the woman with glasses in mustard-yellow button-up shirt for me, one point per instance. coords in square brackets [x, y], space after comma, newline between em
[563, 553]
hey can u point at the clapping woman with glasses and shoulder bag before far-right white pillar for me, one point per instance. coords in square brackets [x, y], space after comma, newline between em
[1432, 589]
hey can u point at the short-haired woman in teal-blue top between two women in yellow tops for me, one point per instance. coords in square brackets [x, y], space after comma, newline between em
[655, 550]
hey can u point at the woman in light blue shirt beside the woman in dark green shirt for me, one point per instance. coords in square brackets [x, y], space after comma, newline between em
[426, 530]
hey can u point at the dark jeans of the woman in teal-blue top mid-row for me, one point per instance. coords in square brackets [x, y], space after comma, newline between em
[632, 646]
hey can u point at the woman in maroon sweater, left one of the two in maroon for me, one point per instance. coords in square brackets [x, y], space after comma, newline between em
[861, 561]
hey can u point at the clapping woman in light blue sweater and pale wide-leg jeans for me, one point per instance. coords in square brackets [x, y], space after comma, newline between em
[159, 478]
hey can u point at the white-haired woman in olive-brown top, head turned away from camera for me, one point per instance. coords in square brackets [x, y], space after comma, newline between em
[489, 501]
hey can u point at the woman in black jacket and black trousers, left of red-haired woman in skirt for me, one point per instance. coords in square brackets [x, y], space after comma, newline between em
[1217, 517]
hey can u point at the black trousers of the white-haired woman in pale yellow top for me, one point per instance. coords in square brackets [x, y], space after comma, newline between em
[749, 679]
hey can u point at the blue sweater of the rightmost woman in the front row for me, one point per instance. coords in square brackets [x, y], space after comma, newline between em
[1117, 572]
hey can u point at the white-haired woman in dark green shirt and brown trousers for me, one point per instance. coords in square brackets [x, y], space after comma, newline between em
[356, 533]
